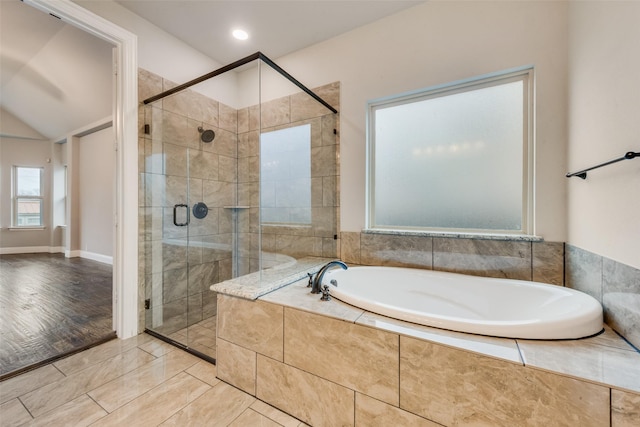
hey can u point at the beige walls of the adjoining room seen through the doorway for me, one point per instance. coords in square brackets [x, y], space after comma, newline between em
[90, 228]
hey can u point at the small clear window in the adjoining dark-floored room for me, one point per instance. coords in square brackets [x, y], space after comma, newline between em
[27, 197]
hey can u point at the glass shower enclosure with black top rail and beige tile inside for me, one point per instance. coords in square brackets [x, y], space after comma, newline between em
[239, 175]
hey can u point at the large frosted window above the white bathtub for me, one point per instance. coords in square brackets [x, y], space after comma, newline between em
[452, 159]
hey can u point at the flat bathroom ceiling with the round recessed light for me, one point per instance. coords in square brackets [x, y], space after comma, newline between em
[276, 28]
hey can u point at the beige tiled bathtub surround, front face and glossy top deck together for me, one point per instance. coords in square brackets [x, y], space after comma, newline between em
[328, 363]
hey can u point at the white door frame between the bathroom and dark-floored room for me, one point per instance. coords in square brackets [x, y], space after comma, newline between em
[126, 302]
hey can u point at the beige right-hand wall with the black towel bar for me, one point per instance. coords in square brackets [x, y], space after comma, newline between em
[604, 106]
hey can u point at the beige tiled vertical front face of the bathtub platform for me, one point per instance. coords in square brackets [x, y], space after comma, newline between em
[338, 373]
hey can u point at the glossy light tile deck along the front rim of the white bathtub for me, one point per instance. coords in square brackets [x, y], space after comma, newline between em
[605, 359]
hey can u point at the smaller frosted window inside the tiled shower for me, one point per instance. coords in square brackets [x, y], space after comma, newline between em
[285, 176]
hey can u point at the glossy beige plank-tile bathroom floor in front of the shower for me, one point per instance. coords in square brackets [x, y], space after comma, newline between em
[140, 381]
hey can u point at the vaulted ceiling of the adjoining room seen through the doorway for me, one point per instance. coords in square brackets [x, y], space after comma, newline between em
[54, 77]
